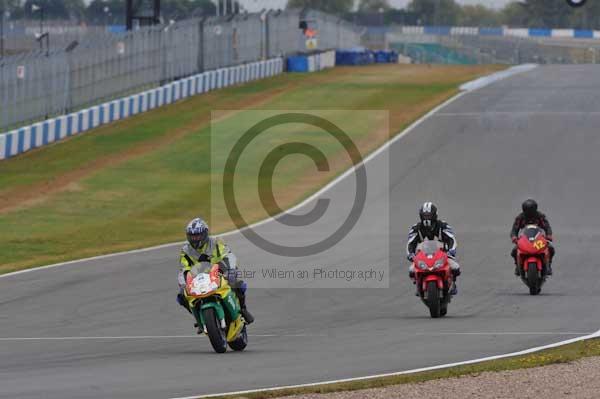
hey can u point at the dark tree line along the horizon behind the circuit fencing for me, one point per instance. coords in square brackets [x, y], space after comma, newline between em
[519, 13]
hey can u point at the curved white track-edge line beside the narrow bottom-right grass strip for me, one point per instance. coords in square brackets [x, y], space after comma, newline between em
[413, 371]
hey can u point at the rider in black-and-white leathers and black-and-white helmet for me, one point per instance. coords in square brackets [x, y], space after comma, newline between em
[431, 228]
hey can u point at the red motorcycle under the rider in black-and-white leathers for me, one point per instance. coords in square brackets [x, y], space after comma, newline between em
[433, 277]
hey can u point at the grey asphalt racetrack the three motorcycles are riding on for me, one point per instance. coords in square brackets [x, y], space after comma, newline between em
[110, 328]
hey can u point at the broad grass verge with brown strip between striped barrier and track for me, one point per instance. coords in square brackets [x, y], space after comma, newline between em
[135, 183]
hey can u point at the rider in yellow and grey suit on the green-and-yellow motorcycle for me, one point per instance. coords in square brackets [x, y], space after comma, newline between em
[201, 247]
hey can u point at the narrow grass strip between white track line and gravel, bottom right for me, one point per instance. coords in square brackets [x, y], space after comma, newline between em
[561, 354]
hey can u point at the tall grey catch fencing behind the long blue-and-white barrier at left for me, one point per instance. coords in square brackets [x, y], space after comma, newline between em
[101, 67]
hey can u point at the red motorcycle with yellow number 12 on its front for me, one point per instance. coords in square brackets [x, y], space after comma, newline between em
[532, 257]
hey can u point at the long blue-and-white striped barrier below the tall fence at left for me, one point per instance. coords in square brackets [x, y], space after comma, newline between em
[43, 133]
